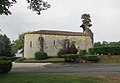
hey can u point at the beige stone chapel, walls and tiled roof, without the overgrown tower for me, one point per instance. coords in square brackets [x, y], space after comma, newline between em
[51, 41]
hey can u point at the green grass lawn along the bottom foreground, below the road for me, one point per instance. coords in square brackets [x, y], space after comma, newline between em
[52, 78]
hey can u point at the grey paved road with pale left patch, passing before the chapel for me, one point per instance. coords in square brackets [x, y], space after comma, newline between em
[65, 68]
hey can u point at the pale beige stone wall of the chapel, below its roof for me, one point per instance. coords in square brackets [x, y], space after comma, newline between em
[53, 43]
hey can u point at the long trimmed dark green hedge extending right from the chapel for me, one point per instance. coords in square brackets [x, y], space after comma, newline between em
[105, 50]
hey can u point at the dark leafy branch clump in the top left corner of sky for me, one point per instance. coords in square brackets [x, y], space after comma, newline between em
[5, 5]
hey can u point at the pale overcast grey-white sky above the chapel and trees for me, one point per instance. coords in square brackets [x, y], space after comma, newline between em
[65, 15]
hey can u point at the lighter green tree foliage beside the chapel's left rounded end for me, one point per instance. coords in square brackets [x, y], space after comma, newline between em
[18, 44]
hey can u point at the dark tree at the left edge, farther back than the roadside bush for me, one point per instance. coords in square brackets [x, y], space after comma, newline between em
[5, 46]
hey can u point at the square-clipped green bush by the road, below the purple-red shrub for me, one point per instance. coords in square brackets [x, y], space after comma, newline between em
[71, 57]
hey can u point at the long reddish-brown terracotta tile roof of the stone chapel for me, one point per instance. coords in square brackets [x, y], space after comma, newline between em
[54, 32]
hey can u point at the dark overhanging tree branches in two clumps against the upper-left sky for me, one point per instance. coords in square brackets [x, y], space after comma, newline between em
[35, 5]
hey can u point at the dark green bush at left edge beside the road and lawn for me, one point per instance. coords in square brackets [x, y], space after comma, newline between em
[5, 66]
